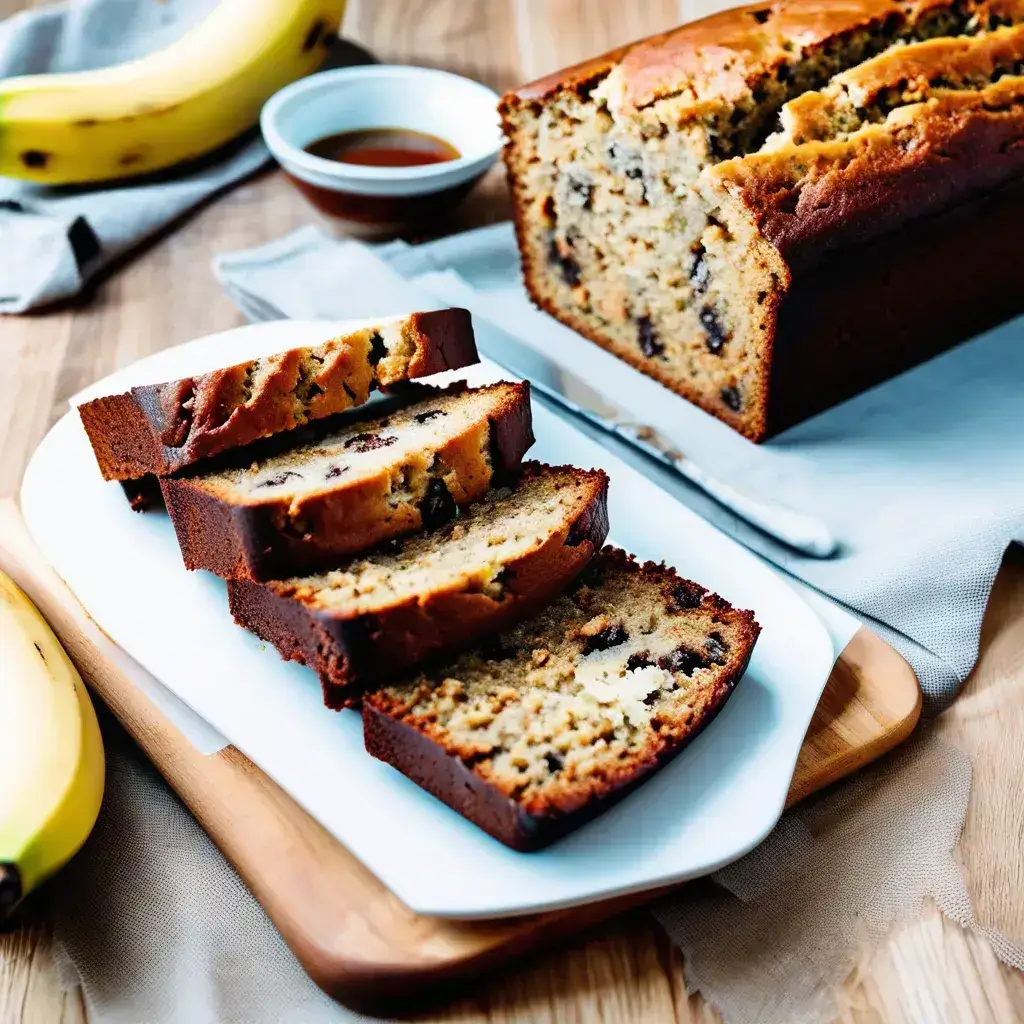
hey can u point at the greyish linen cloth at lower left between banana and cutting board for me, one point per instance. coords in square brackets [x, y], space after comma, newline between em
[158, 927]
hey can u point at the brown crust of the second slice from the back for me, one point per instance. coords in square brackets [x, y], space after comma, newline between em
[271, 539]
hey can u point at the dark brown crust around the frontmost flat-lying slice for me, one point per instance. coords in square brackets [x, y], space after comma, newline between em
[423, 750]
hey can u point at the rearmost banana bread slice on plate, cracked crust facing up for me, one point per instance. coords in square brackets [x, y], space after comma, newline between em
[162, 429]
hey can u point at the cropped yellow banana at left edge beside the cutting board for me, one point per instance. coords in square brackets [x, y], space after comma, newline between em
[52, 754]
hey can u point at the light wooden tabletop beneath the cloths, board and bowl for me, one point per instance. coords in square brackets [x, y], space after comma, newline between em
[926, 971]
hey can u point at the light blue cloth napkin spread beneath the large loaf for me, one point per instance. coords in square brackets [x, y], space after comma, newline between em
[921, 479]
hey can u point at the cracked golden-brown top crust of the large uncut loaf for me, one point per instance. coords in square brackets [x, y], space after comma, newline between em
[828, 123]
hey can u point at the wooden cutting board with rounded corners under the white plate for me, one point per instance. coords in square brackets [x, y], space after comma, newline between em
[356, 940]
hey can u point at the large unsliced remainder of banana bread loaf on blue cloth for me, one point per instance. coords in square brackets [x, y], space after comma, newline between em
[775, 208]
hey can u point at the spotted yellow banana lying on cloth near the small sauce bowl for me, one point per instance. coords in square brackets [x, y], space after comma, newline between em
[176, 105]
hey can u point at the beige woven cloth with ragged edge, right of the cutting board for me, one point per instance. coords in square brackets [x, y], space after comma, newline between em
[774, 941]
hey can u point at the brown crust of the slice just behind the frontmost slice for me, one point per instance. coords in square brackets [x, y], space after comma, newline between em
[351, 650]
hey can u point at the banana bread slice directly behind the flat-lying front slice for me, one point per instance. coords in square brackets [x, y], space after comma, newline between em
[502, 560]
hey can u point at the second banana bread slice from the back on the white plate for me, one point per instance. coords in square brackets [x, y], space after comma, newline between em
[304, 501]
